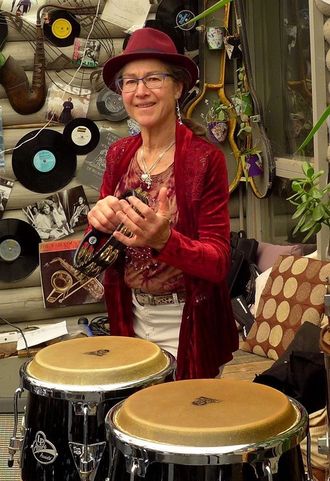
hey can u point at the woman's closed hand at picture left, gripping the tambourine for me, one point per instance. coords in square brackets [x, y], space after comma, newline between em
[103, 216]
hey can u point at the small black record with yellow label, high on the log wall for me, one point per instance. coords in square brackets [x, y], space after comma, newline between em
[61, 28]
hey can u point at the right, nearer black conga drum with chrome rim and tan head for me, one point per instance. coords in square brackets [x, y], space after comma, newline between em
[206, 430]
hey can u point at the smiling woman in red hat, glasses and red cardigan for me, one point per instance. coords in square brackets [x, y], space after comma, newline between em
[171, 287]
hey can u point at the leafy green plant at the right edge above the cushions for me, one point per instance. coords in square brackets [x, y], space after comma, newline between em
[312, 202]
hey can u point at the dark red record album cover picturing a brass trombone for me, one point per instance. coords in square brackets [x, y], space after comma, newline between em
[62, 284]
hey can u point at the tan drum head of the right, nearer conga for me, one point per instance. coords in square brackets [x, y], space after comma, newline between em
[206, 412]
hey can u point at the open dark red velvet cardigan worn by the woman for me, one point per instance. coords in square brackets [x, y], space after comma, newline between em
[198, 245]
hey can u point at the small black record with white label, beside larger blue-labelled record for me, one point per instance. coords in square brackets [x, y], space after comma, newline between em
[82, 135]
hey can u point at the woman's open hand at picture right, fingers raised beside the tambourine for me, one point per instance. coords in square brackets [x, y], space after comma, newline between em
[149, 228]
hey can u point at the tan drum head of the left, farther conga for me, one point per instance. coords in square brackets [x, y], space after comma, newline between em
[100, 360]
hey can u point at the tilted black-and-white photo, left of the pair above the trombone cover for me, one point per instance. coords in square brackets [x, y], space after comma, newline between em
[48, 217]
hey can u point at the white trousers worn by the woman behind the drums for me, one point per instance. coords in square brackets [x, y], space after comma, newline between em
[159, 324]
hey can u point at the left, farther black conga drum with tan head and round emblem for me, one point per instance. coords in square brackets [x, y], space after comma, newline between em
[71, 386]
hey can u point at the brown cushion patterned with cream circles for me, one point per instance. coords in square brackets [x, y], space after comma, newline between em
[294, 293]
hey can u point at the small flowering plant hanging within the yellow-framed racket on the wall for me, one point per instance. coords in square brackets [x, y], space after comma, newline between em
[216, 118]
